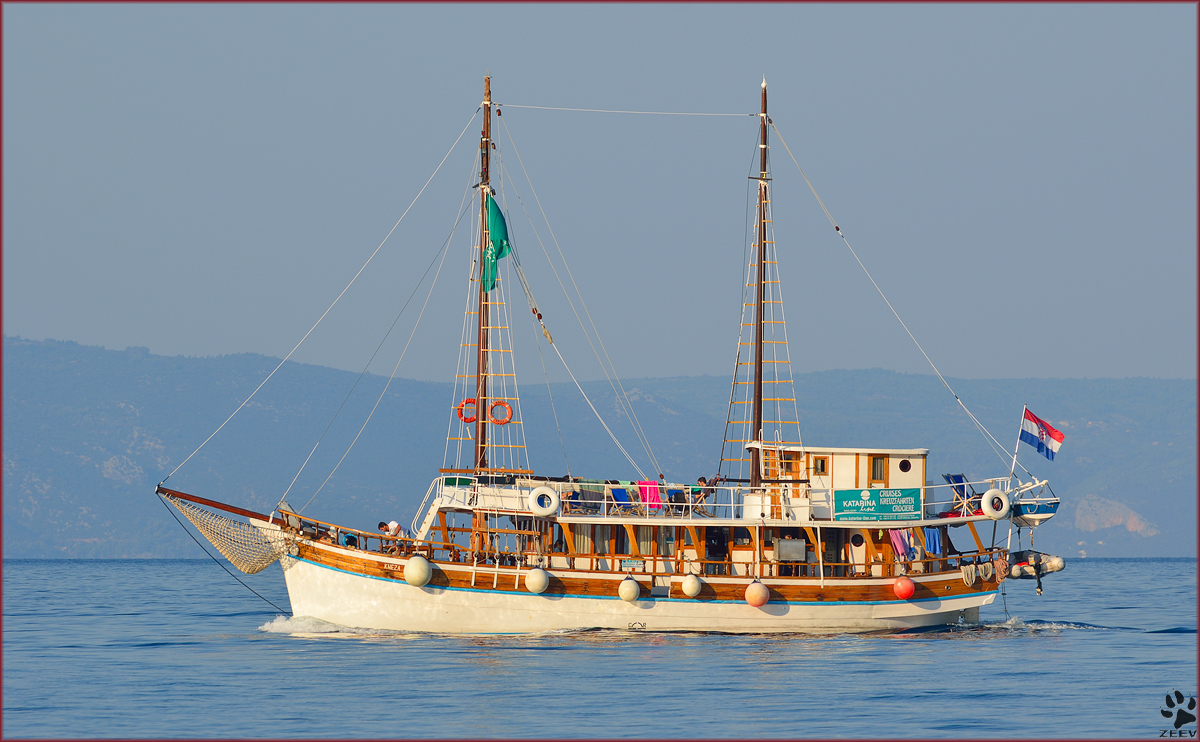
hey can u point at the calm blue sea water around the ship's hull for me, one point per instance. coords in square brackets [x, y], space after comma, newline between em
[177, 649]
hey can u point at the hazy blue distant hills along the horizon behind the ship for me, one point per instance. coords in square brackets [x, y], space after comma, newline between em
[89, 432]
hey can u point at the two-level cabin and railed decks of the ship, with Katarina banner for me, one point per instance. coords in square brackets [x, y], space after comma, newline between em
[819, 513]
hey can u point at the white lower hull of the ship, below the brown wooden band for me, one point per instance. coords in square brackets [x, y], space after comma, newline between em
[359, 601]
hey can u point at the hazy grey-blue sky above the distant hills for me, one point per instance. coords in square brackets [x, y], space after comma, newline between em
[205, 179]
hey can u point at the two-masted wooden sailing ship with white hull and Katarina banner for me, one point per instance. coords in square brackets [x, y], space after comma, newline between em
[800, 538]
